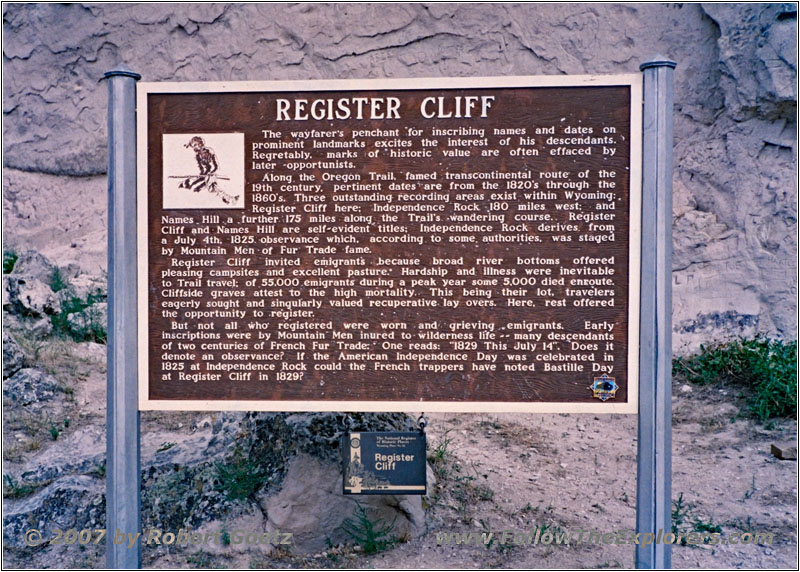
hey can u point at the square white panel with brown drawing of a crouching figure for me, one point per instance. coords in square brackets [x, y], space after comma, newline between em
[203, 171]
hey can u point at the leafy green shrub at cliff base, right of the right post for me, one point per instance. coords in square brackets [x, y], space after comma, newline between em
[767, 367]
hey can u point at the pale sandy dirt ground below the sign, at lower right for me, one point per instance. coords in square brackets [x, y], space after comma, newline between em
[565, 472]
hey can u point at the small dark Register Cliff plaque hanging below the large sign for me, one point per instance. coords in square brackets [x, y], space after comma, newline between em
[383, 463]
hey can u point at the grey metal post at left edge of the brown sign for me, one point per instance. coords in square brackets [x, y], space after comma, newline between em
[122, 407]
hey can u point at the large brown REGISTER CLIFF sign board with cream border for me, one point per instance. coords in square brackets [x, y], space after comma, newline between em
[450, 244]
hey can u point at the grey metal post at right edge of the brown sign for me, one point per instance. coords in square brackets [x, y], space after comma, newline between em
[654, 479]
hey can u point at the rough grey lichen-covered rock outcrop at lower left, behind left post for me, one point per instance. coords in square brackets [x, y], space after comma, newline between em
[269, 471]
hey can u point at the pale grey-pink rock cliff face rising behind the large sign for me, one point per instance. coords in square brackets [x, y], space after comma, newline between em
[735, 220]
